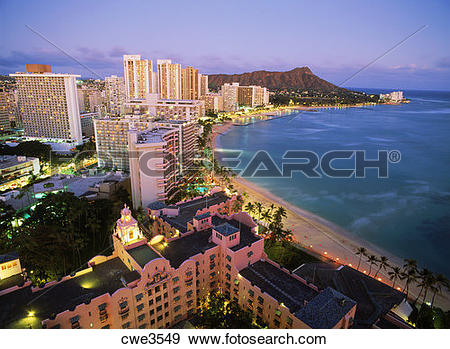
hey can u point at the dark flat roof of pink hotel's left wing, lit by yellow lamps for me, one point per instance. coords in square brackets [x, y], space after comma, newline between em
[104, 278]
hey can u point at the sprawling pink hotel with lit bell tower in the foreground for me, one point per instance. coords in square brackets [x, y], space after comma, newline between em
[198, 246]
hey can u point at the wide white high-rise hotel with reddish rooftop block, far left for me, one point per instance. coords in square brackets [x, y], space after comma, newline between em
[48, 104]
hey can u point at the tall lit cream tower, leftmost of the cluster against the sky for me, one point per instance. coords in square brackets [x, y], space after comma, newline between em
[139, 77]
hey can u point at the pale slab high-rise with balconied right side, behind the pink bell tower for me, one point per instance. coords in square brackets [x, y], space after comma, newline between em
[154, 164]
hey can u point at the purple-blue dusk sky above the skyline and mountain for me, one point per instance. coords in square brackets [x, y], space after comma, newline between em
[335, 39]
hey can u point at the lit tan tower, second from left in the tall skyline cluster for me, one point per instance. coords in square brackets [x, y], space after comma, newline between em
[169, 79]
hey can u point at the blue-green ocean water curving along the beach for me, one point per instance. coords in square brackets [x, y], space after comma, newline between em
[407, 214]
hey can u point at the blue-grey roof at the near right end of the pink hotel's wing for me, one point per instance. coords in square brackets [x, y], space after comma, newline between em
[326, 309]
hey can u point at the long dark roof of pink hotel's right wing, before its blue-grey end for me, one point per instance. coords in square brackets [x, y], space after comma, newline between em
[280, 285]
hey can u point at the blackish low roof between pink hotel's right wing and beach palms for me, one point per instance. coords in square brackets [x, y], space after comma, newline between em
[373, 297]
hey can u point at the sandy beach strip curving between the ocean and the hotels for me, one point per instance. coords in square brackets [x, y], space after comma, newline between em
[321, 236]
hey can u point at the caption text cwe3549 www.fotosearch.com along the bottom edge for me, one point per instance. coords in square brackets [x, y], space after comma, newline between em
[227, 338]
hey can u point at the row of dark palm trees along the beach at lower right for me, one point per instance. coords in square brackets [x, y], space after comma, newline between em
[410, 273]
